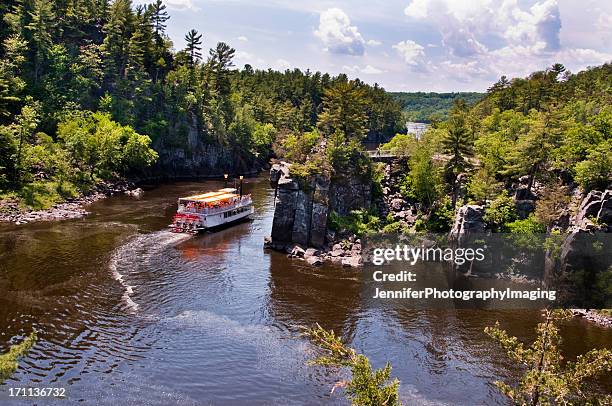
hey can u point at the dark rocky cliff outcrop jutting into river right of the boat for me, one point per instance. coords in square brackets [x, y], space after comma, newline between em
[302, 209]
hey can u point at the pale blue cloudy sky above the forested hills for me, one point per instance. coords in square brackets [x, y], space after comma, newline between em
[404, 45]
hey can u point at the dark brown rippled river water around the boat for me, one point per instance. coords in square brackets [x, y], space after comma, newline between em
[129, 313]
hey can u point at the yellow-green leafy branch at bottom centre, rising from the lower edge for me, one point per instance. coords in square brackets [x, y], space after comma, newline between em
[366, 387]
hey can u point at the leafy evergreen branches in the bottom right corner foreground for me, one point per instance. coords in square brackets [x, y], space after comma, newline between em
[547, 381]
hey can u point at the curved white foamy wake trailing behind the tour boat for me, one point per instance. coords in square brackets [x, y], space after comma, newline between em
[130, 255]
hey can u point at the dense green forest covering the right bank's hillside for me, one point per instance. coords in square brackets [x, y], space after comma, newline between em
[545, 138]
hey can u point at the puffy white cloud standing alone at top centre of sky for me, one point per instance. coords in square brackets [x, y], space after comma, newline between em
[337, 33]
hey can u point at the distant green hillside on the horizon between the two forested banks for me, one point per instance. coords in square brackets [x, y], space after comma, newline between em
[420, 106]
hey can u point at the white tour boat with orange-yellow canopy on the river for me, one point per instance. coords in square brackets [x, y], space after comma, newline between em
[213, 209]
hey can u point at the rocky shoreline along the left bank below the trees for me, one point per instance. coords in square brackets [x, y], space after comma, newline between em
[11, 212]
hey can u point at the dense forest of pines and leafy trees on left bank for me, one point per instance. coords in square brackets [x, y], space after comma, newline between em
[93, 90]
